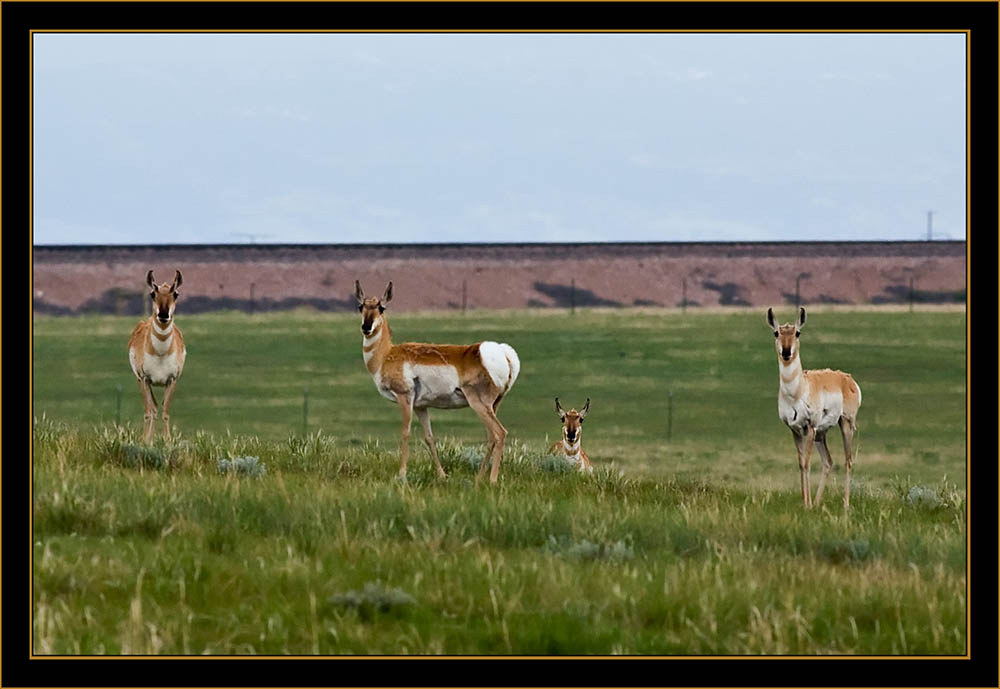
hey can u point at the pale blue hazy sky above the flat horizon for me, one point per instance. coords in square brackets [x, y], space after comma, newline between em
[390, 138]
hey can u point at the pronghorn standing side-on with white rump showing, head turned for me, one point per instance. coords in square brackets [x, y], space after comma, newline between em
[419, 377]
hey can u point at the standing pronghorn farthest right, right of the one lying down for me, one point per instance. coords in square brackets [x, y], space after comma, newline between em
[810, 403]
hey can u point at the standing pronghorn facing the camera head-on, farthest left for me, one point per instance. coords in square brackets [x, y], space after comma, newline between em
[156, 352]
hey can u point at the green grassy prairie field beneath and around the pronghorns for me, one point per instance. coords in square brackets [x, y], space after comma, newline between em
[690, 537]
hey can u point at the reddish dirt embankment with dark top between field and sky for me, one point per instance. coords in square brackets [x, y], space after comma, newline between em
[261, 277]
